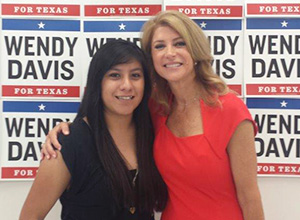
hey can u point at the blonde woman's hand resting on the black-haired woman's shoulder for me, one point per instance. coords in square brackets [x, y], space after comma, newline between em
[51, 143]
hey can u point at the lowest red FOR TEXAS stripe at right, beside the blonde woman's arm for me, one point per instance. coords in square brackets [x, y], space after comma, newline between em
[278, 168]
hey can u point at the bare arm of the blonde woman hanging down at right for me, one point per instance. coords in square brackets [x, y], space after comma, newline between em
[241, 150]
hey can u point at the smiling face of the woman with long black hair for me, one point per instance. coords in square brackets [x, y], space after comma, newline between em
[123, 88]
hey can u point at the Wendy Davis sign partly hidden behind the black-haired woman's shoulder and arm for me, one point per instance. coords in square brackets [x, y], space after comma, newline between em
[24, 125]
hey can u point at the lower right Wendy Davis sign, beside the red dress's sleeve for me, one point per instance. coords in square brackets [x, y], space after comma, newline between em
[278, 135]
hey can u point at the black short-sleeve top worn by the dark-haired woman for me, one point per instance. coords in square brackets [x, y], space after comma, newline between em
[89, 195]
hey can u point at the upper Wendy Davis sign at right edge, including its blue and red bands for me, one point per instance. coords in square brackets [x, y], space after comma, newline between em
[272, 56]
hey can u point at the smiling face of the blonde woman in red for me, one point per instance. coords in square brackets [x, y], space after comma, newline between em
[171, 58]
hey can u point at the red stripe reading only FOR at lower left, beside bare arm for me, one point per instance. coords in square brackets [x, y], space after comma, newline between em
[19, 172]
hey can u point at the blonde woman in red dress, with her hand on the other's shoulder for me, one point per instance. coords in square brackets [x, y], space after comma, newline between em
[204, 134]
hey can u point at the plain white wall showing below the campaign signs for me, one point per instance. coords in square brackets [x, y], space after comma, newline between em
[281, 199]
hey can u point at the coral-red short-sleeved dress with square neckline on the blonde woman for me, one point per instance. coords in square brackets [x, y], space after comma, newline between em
[196, 169]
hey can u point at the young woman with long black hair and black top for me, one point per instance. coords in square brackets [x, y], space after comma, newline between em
[105, 169]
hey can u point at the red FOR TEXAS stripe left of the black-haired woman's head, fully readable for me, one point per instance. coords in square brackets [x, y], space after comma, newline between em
[40, 91]
